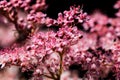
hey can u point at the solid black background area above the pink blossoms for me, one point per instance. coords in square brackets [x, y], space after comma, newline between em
[89, 6]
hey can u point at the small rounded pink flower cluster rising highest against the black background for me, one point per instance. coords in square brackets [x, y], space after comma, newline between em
[72, 17]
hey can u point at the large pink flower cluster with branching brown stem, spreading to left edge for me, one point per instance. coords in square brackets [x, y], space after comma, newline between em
[44, 53]
